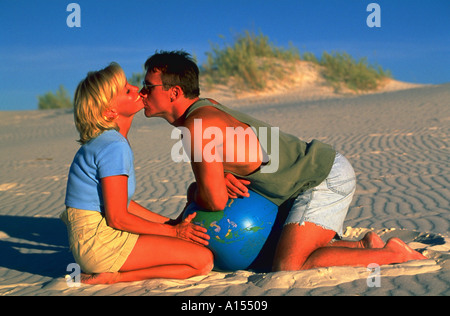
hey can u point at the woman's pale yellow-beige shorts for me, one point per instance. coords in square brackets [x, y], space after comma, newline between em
[96, 246]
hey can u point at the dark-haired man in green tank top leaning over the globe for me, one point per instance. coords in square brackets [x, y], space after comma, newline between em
[318, 182]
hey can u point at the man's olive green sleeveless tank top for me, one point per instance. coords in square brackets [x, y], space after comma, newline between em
[294, 167]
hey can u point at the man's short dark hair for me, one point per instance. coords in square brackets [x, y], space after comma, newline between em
[177, 69]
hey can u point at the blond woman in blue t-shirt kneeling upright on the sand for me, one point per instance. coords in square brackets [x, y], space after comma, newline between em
[108, 235]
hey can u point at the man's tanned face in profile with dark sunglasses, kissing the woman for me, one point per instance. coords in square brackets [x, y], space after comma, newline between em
[156, 99]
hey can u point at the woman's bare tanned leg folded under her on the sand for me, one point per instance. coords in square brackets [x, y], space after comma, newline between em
[158, 257]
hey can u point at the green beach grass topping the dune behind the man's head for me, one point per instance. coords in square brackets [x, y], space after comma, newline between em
[252, 60]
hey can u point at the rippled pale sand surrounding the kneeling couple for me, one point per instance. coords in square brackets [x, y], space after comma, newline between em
[397, 141]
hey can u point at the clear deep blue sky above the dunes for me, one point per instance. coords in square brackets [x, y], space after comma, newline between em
[39, 52]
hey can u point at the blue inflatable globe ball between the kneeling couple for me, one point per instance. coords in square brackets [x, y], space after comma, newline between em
[239, 232]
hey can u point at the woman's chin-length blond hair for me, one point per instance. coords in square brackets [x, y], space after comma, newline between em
[93, 96]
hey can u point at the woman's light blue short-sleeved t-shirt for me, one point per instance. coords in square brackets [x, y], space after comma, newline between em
[107, 155]
